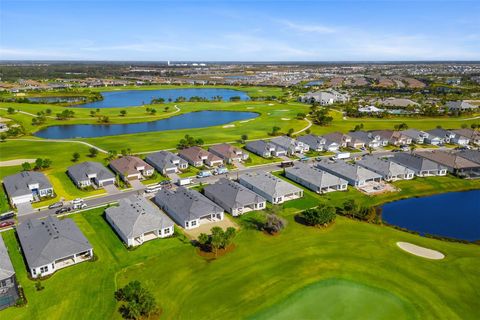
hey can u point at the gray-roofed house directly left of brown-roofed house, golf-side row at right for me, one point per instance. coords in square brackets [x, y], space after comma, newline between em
[421, 166]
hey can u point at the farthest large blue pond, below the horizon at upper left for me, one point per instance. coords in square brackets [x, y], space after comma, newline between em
[131, 98]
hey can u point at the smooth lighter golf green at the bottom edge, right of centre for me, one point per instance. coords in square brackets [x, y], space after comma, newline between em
[339, 299]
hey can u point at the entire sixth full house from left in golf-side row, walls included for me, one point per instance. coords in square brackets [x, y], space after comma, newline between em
[315, 179]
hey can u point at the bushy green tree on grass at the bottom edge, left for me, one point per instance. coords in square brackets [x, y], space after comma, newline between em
[138, 301]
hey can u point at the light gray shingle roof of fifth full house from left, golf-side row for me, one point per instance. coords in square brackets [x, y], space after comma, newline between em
[269, 184]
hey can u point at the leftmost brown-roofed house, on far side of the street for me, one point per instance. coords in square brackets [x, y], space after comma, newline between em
[131, 168]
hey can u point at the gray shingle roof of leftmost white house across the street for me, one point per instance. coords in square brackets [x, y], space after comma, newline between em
[17, 184]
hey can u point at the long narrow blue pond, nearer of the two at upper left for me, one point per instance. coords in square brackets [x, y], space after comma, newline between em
[184, 121]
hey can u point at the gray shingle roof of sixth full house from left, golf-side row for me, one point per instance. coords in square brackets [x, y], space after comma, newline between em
[315, 176]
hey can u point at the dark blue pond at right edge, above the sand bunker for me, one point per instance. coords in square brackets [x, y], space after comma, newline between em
[453, 215]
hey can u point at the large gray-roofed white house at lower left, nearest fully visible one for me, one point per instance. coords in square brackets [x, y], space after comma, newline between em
[52, 244]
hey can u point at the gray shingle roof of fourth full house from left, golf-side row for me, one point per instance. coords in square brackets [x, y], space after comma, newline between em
[233, 194]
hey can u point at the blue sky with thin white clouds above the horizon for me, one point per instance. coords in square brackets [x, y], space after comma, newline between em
[240, 30]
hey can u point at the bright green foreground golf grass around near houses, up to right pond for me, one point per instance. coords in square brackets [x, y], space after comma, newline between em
[264, 272]
